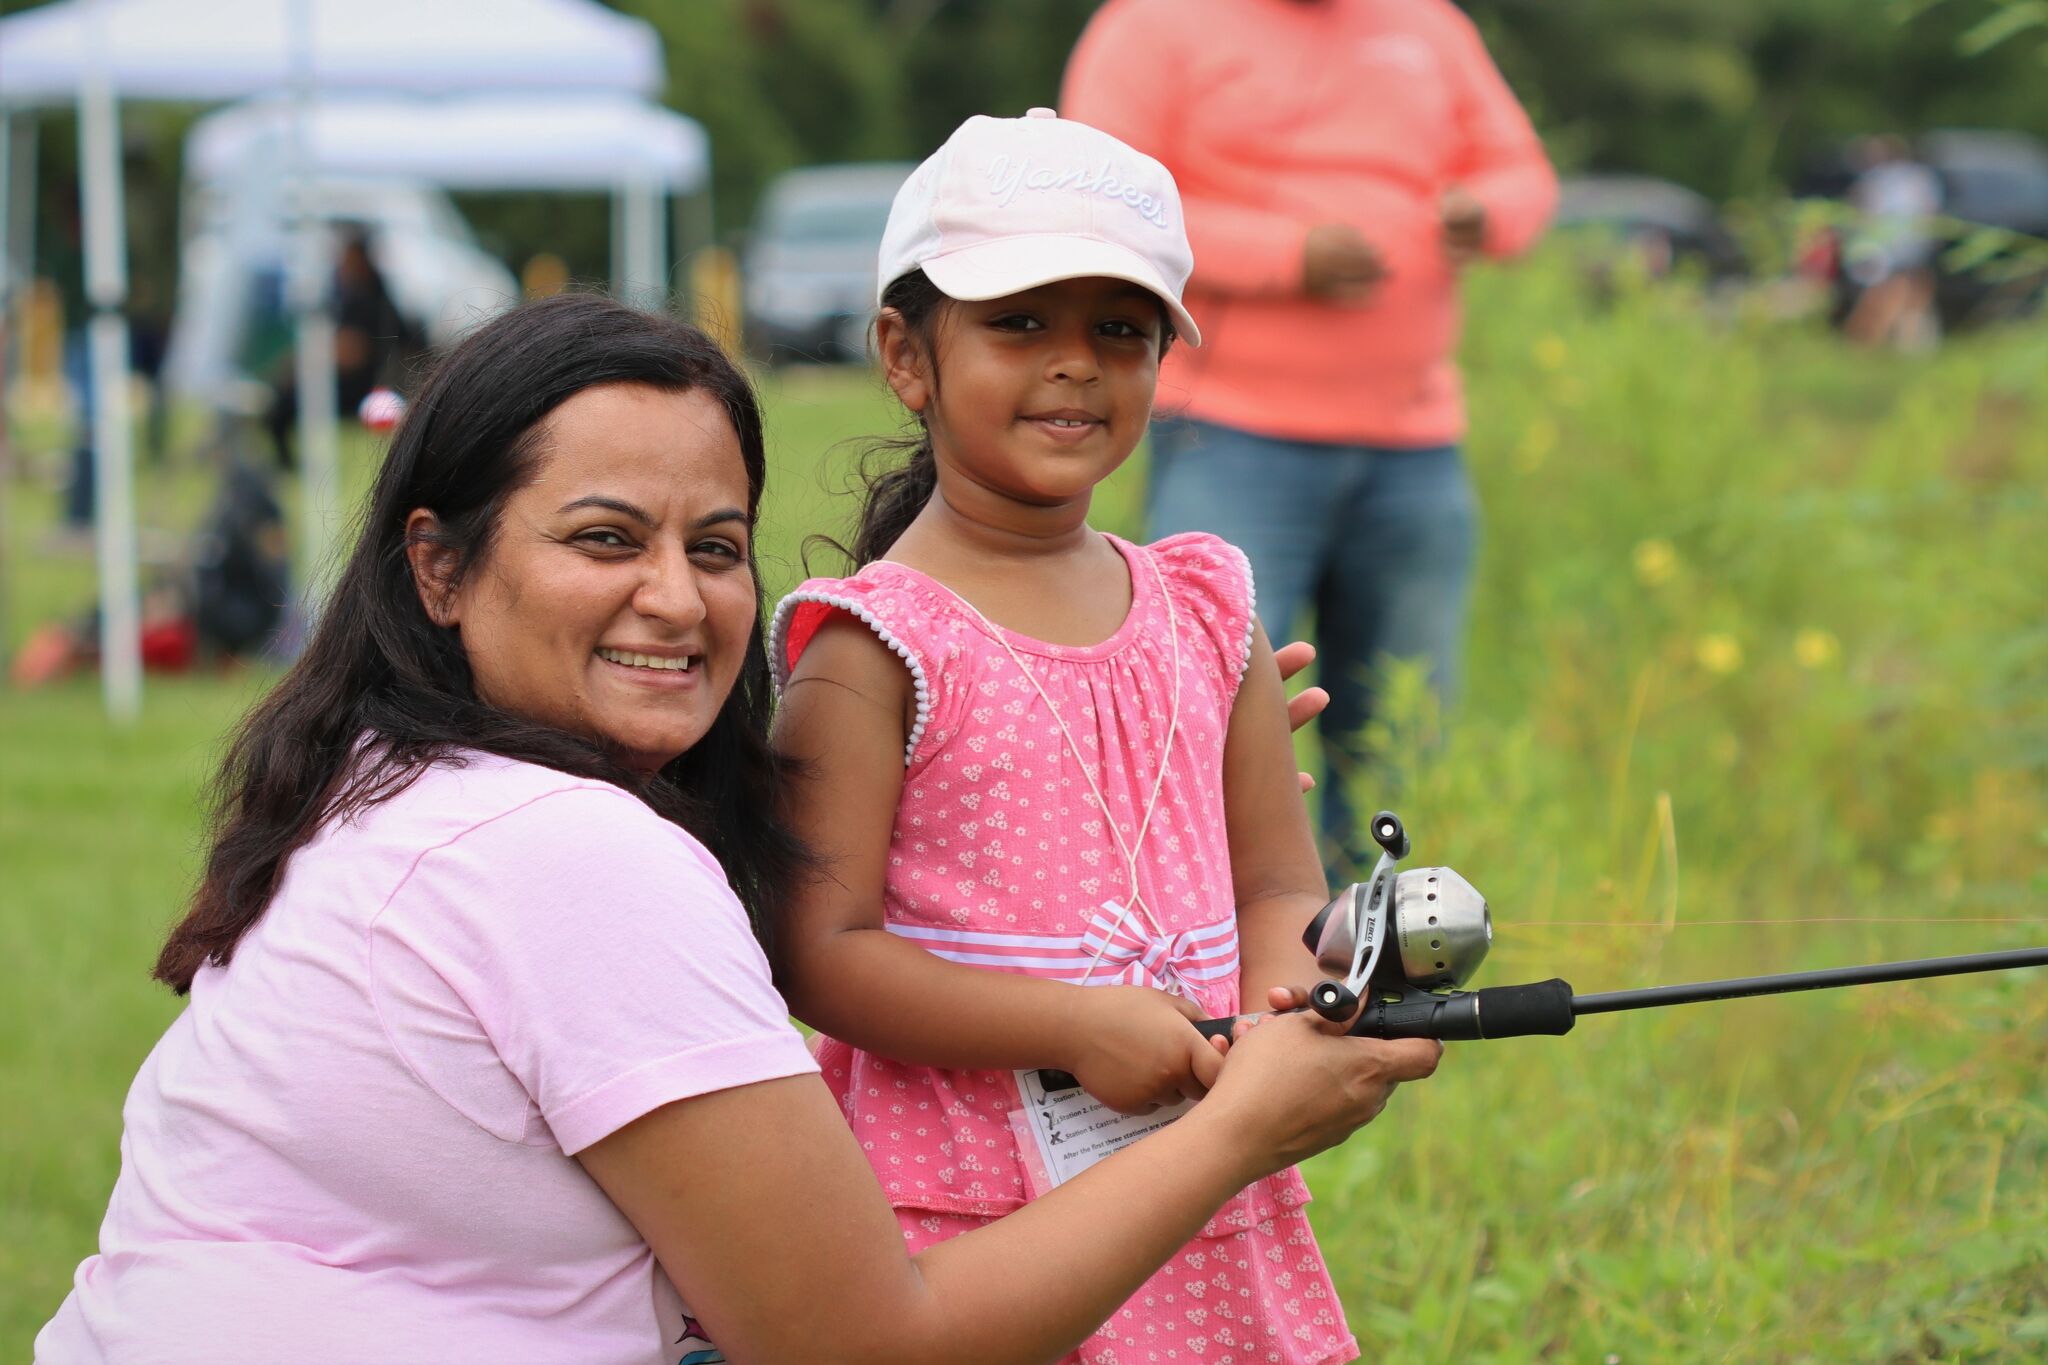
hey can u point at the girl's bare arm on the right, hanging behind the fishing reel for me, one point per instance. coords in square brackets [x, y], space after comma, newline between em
[1275, 869]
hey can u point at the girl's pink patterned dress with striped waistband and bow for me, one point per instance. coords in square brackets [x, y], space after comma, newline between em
[1002, 861]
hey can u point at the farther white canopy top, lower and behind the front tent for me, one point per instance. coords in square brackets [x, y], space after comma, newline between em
[611, 144]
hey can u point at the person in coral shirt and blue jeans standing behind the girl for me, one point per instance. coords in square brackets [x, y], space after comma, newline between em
[1340, 161]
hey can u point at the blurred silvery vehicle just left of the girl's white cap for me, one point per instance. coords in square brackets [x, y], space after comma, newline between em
[810, 261]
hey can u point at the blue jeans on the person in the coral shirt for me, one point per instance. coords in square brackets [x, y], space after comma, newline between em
[1379, 541]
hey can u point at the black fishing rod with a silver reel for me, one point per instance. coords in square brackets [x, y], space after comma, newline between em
[1402, 944]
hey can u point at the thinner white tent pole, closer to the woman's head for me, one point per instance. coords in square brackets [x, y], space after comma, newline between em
[312, 337]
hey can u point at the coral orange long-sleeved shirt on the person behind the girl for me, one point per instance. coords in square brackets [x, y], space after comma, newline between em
[1279, 116]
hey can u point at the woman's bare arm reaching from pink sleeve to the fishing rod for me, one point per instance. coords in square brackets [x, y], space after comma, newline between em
[763, 1210]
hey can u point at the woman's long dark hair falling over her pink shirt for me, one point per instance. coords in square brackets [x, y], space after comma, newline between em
[382, 693]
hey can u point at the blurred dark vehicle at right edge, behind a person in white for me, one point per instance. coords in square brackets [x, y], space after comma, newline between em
[1990, 179]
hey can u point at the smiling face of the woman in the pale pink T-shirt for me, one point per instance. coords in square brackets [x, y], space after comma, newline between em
[617, 597]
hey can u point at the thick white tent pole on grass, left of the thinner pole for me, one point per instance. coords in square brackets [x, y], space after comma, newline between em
[114, 498]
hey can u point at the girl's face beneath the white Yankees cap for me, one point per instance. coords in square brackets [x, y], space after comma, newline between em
[1039, 396]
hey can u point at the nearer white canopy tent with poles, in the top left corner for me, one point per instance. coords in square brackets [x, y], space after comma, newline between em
[99, 52]
